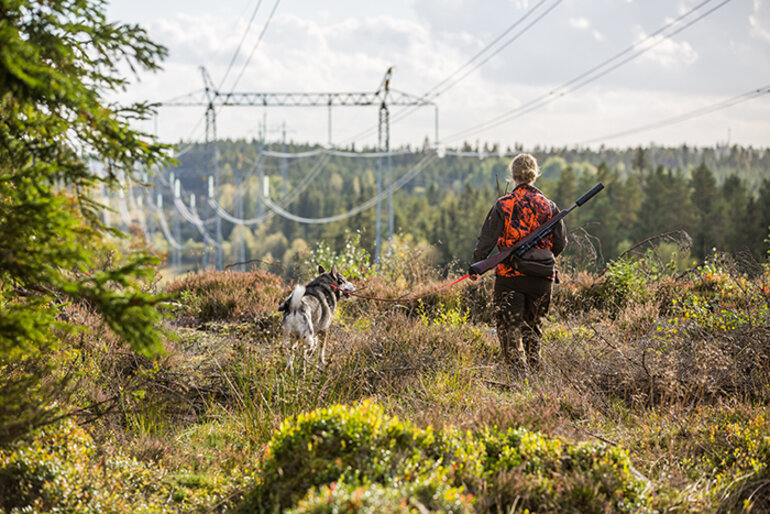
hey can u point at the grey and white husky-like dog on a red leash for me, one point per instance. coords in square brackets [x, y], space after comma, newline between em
[308, 311]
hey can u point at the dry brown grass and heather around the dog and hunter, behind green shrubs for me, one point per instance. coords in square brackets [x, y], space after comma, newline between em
[662, 370]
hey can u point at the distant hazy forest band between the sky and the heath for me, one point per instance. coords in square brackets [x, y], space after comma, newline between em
[720, 196]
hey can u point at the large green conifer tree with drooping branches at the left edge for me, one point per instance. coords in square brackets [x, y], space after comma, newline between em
[59, 60]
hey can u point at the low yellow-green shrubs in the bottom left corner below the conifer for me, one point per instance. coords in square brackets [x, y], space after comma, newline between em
[62, 469]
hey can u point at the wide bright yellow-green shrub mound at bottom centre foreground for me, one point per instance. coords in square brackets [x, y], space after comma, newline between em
[394, 465]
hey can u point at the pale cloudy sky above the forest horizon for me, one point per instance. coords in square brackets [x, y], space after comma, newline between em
[515, 97]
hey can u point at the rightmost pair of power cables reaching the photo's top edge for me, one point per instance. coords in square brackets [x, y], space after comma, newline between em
[565, 88]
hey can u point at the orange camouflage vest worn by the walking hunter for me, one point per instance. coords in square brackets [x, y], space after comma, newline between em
[525, 209]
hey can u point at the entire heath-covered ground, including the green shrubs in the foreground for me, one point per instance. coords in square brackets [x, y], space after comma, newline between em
[653, 396]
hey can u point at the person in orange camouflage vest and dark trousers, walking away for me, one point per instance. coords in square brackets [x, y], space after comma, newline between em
[521, 299]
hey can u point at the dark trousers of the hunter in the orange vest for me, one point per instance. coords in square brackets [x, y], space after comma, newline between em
[520, 302]
